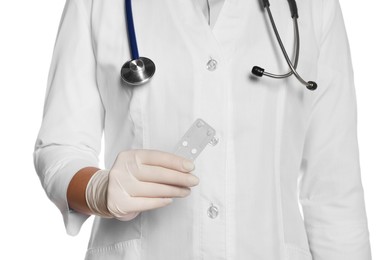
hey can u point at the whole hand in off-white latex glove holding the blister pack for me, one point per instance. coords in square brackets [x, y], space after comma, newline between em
[139, 180]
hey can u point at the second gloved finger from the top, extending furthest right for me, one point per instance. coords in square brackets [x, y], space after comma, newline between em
[156, 174]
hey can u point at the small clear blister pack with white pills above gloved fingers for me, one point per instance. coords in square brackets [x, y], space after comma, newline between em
[195, 140]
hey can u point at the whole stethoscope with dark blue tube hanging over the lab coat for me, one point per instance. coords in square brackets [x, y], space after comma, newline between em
[140, 70]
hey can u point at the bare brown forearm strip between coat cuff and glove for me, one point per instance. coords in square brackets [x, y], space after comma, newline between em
[76, 190]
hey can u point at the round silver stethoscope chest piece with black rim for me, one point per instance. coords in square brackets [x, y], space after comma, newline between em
[137, 71]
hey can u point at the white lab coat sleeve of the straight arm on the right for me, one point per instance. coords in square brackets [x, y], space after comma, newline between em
[331, 192]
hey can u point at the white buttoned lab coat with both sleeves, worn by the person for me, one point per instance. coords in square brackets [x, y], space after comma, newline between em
[279, 143]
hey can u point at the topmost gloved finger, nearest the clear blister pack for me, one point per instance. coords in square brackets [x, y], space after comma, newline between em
[164, 159]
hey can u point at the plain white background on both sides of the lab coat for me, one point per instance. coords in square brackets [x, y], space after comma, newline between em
[30, 225]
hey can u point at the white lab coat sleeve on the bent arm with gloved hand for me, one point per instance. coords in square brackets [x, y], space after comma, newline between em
[71, 130]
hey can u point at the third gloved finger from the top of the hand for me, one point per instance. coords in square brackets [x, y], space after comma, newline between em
[156, 190]
